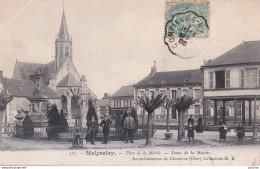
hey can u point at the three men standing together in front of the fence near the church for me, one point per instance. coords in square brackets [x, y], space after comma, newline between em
[92, 128]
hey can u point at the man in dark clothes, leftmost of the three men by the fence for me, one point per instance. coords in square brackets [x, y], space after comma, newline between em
[92, 129]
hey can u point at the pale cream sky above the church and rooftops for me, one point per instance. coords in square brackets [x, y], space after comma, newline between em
[115, 42]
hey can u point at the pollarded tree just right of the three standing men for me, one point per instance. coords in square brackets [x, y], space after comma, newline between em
[150, 105]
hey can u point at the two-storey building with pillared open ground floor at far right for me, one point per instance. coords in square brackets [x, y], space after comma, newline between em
[232, 85]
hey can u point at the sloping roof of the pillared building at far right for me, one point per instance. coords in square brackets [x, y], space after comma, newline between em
[245, 53]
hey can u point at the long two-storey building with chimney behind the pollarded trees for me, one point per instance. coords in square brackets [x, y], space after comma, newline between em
[173, 84]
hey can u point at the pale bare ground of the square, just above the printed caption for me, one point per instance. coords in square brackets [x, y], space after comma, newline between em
[205, 139]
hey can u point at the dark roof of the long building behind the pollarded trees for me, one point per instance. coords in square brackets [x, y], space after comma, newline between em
[178, 78]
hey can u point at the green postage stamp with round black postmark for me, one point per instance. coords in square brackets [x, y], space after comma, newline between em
[186, 29]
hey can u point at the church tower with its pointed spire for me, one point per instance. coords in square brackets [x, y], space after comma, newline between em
[63, 44]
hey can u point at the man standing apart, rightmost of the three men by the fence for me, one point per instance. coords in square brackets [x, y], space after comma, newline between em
[129, 126]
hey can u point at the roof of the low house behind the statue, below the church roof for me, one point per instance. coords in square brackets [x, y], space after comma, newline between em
[24, 88]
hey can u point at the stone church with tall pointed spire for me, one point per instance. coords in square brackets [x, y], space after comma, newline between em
[60, 75]
